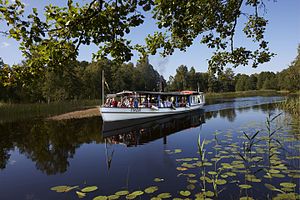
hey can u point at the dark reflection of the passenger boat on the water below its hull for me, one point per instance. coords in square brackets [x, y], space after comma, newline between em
[141, 131]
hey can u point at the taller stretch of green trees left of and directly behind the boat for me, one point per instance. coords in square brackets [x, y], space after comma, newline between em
[79, 80]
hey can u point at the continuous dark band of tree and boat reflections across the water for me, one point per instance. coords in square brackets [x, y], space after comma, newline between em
[50, 145]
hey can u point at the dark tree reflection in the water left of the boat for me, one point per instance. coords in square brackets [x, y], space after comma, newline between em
[48, 144]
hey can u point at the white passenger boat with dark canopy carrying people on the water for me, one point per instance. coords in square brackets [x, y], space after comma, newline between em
[143, 104]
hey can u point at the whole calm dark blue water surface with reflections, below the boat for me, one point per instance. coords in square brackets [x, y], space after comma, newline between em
[37, 155]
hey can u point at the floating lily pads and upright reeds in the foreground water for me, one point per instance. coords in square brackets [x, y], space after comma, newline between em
[241, 161]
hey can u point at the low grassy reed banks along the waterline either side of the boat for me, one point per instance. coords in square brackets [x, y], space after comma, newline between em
[14, 112]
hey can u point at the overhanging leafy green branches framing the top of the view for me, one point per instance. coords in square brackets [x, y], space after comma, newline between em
[53, 40]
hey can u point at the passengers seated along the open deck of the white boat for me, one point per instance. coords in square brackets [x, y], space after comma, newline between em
[133, 102]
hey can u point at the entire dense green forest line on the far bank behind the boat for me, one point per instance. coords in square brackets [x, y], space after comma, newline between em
[82, 80]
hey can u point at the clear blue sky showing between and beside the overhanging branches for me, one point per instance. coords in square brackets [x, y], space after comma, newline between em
[283, 33]
